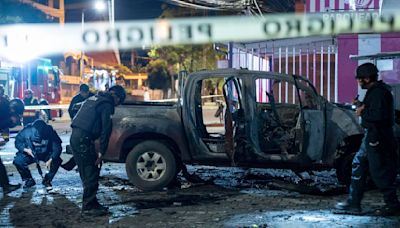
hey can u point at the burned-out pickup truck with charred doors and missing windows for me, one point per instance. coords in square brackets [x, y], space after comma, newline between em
[270, 120]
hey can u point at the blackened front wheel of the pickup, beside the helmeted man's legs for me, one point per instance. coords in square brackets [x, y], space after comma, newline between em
[343, 168]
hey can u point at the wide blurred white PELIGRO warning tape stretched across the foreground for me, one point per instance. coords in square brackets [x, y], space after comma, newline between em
[42, 39]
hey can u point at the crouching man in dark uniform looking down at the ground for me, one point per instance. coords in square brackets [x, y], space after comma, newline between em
[37, 142]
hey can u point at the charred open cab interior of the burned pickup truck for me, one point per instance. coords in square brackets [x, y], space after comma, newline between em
[279, 128]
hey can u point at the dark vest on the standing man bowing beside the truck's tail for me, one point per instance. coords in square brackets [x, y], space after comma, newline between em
[88, 116]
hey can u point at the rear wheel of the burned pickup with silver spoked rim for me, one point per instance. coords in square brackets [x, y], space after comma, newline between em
[151, 165]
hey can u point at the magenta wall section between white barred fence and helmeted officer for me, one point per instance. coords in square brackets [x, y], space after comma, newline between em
[347, 85]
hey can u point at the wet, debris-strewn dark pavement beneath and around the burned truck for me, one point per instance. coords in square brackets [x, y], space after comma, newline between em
[231, 197]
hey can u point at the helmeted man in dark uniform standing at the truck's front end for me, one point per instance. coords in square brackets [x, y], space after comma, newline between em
[377, 151]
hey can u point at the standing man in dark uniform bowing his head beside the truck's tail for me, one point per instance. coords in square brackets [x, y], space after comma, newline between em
[93, 121]
